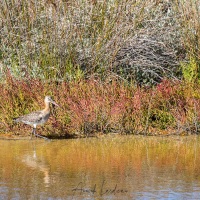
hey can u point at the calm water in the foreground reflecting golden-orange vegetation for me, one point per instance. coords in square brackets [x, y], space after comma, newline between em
[128, 167]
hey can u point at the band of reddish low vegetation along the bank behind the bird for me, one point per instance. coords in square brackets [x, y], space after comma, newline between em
[92, 106]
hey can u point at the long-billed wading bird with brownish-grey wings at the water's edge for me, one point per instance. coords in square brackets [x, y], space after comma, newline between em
[37, 117]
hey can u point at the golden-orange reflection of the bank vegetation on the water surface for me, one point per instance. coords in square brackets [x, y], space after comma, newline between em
[127, 161]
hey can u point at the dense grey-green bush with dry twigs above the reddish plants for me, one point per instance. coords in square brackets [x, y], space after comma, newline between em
[142, 41]
